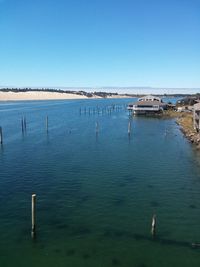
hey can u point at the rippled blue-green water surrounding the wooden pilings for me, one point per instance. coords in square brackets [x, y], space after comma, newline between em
[96, 192]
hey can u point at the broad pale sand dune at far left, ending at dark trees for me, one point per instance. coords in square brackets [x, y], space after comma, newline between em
[33, 95]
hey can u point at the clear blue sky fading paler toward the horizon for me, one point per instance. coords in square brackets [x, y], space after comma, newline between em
[100, 43]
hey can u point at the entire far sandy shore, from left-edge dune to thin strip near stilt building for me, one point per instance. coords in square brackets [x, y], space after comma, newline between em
[35, 95]
